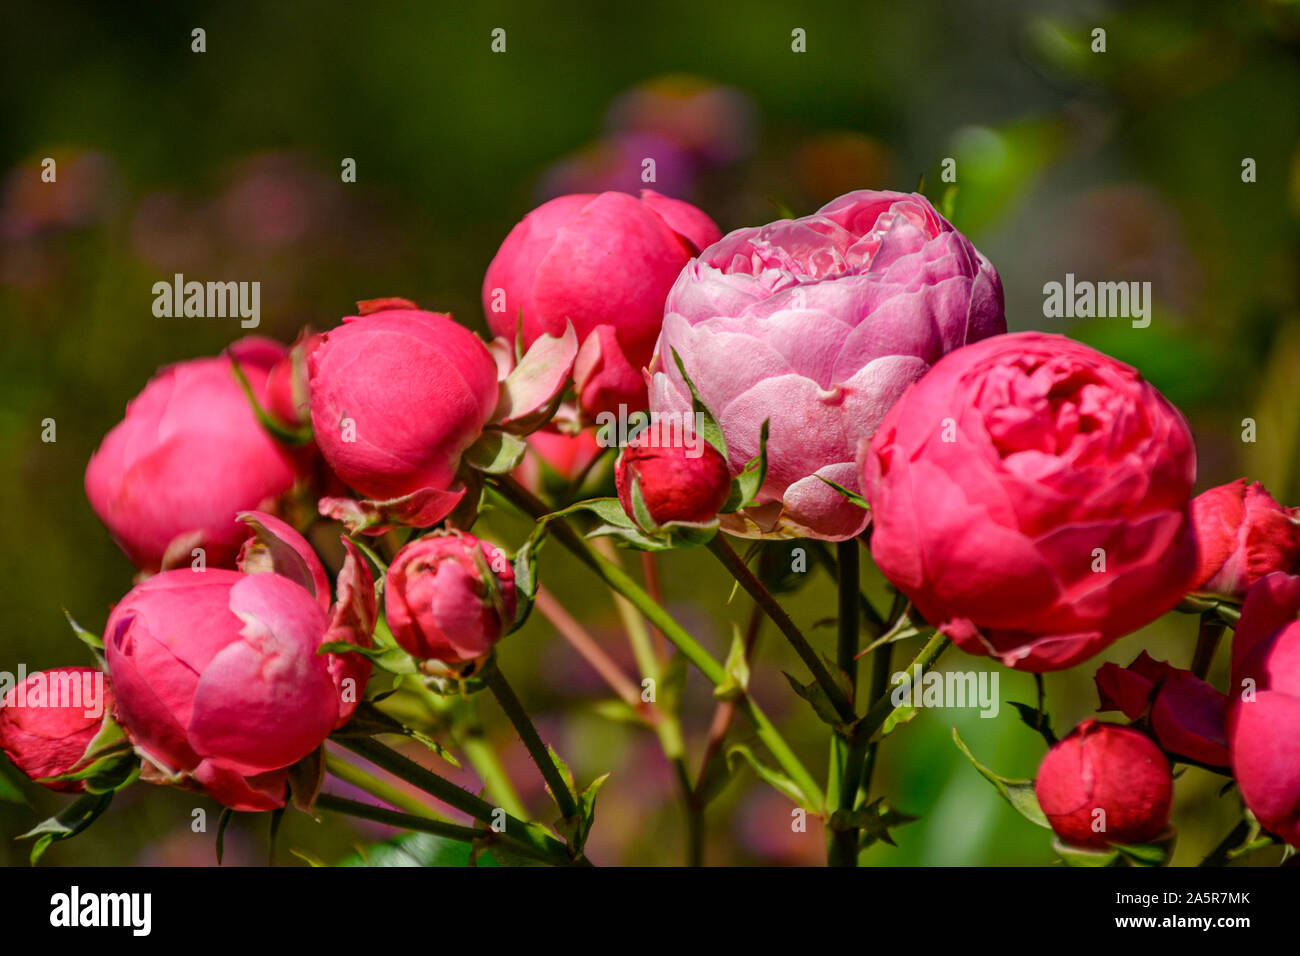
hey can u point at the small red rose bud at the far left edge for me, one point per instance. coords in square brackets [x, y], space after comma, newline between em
[47, 736]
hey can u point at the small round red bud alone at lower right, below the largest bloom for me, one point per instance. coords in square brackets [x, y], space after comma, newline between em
[1103, 785]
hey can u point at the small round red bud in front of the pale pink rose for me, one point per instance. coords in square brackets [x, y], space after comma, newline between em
[681, 481]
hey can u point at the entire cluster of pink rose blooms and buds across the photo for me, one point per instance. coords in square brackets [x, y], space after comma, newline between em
[1030, 496]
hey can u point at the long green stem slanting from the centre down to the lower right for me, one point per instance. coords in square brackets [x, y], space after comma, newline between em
[614, 577]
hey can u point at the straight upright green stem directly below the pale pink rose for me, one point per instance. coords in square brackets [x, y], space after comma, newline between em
[848, 750]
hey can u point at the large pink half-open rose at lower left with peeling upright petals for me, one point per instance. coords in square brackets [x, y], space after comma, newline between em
[218, 677]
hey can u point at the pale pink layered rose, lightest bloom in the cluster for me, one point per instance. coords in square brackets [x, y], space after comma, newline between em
[820, 325]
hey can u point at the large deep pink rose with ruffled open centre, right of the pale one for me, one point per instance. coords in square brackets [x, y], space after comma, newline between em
[1032, 498]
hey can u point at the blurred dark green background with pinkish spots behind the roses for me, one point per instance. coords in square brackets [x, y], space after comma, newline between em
[226, 166]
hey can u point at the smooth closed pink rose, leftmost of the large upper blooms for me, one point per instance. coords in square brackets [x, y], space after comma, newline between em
[188, 457]
